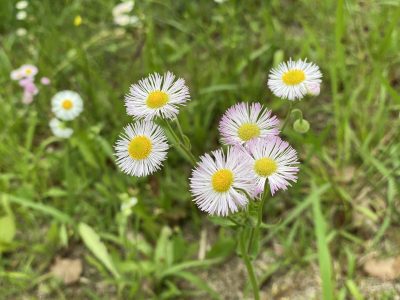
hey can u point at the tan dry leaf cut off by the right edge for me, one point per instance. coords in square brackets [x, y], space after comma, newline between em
[385, 269]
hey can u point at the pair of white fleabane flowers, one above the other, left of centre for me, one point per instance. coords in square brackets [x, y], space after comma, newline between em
[142, 147]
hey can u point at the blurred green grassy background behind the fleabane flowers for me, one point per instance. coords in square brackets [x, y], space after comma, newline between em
[73, 226]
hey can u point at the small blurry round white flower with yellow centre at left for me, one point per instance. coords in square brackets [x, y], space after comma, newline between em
[67, 105]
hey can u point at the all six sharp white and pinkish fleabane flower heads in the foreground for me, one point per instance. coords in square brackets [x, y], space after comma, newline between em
[253, 158]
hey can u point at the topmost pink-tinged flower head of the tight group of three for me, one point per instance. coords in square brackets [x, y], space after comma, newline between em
[244, 122]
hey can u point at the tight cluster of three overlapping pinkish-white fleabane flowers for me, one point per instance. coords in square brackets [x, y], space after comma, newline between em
[223, 183]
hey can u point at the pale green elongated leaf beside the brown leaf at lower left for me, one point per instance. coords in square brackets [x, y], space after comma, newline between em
[97, 247]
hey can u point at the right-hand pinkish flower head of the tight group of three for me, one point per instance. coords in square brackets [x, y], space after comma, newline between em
[274, 160]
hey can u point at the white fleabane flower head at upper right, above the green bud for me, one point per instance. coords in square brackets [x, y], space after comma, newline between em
[290, 80]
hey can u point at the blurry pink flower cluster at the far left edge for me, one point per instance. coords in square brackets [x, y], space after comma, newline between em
[25, 75]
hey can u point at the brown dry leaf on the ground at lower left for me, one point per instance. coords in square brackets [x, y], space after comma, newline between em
[68, 270]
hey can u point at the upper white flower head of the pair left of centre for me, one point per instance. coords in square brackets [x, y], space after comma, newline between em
[157, 96]
